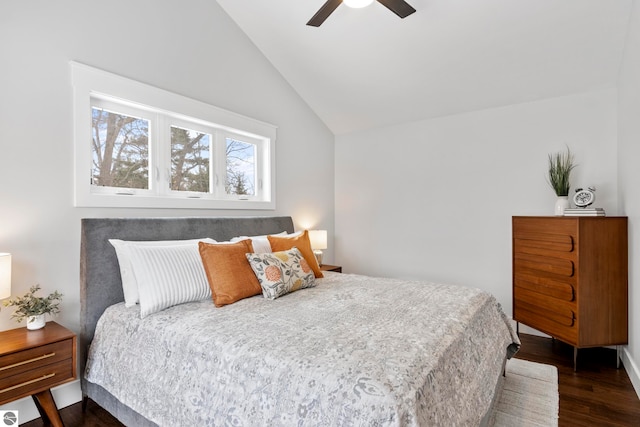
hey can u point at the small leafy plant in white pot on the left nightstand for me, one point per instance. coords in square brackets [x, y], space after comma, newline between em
[33, 308]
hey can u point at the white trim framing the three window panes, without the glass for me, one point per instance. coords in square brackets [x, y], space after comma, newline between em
[88, 81]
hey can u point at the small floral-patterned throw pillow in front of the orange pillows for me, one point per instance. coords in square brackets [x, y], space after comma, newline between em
[281, 272]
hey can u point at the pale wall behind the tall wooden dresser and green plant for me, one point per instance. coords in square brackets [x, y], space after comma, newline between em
[433, 199]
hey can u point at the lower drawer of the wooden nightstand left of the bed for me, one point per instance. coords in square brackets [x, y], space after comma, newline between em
[35, 380]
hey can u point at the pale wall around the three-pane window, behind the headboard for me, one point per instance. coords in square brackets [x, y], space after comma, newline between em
[190, 47]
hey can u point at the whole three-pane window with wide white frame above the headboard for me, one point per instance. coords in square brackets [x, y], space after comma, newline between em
[139, 146]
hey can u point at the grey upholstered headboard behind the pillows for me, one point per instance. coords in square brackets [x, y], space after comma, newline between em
[100, 284]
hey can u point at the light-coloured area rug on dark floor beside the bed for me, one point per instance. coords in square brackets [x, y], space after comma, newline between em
[529, 396]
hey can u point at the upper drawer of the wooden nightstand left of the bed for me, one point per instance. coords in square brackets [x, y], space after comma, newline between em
[27, 360]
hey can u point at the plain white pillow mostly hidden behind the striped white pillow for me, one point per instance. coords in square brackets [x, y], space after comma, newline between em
[129, 285]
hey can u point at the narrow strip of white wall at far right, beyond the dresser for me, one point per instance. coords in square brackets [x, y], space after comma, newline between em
[629, 177]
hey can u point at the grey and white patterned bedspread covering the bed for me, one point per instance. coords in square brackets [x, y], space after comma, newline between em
[353, 351]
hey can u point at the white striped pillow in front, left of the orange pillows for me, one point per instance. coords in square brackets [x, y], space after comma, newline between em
[168, 276]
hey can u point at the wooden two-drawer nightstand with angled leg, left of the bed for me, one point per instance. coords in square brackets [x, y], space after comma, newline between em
[32, 362]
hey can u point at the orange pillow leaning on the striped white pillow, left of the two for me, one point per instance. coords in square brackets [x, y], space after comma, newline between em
[229, 273]
